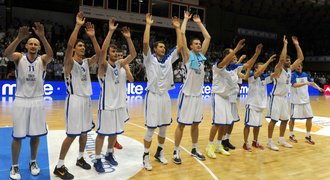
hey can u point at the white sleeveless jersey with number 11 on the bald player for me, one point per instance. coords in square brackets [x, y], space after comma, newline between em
[30, 77]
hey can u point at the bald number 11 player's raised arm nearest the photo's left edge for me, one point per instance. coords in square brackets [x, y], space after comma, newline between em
[10, 53]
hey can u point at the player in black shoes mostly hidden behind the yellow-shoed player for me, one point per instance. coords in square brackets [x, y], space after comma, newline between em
[235, 71]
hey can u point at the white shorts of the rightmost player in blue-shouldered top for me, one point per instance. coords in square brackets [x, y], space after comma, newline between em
[301, 111]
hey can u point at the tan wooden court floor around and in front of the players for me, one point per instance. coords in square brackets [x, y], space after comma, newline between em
[303, 161]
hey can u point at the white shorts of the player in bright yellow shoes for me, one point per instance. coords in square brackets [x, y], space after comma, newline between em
[221, 110]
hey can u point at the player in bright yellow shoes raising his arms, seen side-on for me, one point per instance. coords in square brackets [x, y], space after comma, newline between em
[222, 88]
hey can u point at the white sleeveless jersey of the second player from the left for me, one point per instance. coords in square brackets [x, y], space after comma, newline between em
[78, 82]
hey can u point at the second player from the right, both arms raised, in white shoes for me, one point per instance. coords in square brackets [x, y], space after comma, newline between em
[278, 109]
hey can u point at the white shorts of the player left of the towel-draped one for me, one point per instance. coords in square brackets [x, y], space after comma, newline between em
[157, 110]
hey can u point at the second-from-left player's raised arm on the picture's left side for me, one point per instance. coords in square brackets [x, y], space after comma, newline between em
[68, 61]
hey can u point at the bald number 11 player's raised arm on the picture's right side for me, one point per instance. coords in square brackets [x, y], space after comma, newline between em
[40, 32]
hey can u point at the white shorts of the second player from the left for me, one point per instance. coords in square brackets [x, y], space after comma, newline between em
[78, 115]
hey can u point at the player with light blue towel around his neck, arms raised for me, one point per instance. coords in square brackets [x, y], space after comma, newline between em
[190, 103]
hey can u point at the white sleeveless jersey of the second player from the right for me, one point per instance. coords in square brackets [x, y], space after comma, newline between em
[282, 84]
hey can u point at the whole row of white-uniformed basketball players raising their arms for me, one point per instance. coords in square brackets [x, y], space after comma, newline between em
[29, 119]
